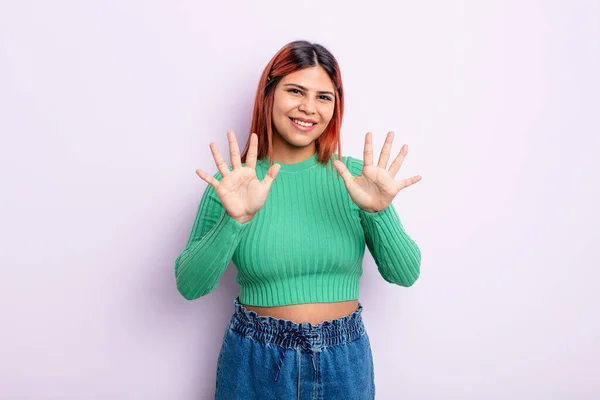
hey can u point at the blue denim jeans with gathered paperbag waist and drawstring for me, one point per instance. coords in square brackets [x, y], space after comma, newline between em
[264, 357]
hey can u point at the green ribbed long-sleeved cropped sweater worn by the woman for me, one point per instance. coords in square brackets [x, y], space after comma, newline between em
[305, 245]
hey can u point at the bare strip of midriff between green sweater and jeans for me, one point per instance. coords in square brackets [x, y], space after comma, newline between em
[314, 313]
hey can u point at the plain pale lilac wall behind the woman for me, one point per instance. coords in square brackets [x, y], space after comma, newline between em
[108, 107]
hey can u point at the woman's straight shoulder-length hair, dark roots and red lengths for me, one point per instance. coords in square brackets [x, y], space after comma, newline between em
[292, 57]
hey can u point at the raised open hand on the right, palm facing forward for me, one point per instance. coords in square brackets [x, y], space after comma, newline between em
[375, 188]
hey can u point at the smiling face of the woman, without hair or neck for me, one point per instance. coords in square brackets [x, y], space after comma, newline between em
[303, 106]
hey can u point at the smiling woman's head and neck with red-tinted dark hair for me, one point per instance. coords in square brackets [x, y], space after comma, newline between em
[301, 82]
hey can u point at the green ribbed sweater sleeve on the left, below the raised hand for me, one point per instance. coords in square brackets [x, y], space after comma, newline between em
[211, 244]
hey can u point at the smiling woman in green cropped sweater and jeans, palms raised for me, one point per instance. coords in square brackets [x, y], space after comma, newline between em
[296, 230]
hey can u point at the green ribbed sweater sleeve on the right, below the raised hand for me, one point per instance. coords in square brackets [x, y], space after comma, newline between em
[397, 256]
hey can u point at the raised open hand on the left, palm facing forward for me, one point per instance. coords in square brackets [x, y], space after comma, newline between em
[240, 191]
